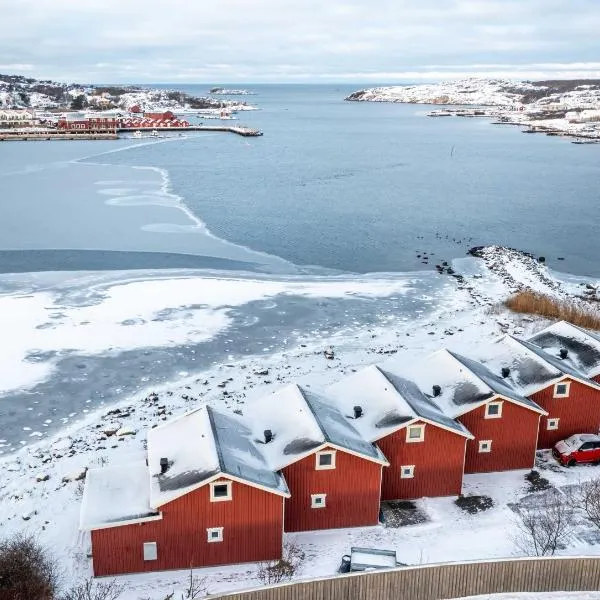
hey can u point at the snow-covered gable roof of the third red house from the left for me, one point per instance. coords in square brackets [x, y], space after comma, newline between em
[388, 402]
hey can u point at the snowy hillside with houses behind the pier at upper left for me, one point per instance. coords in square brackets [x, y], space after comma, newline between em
[17, 91]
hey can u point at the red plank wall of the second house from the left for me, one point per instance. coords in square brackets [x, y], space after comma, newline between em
[353, 491]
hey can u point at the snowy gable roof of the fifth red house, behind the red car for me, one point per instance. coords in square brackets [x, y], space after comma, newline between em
[530, 367]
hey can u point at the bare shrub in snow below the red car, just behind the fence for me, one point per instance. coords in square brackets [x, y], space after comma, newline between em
[545, 528]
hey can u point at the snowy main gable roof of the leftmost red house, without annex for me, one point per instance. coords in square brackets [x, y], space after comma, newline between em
[201, 445]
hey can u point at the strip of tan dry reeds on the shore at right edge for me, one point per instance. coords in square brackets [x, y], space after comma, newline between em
[534, 303]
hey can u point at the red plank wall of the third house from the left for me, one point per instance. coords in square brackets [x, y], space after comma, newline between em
[438, 462]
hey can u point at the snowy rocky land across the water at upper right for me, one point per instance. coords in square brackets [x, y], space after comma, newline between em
[555, 107]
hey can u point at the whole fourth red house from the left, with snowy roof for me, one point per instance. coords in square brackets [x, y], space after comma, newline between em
[504, 423]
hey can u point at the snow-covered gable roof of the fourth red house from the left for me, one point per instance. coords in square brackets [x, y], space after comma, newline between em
[464, 383]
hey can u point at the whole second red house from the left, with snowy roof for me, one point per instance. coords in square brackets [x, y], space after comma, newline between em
[333, 474]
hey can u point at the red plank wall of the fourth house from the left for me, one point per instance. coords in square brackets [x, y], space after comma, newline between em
[514, 439]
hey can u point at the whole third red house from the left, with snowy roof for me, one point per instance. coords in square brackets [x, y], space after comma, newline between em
[425, 448]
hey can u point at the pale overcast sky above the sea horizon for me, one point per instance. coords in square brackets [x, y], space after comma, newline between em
[220, 41]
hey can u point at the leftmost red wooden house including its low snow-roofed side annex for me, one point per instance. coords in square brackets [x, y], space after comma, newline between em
[205, 498]
